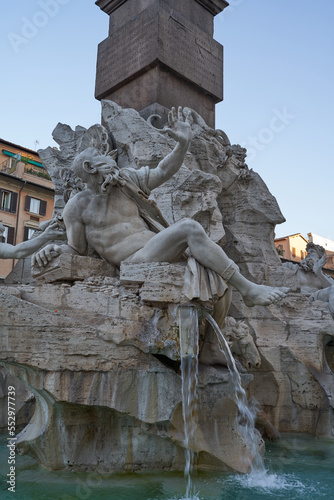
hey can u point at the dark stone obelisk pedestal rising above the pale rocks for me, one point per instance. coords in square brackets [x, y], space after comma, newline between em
[159, 54]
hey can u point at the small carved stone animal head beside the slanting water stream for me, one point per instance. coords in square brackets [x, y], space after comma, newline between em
[242, 344]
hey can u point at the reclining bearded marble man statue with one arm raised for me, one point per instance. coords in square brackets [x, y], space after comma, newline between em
[113, 216]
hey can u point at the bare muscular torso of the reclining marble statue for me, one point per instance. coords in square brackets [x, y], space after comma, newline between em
[111, 224]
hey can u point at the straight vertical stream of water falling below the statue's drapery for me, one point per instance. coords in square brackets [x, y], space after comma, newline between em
[188, 326]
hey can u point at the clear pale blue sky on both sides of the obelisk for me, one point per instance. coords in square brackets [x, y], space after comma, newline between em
[279, 75]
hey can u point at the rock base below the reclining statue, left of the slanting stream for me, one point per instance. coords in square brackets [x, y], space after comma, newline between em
[90, 360]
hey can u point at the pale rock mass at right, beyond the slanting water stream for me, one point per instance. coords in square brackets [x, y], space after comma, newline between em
[295, 384]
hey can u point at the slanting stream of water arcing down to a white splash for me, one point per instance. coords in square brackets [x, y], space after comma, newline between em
[247, 414]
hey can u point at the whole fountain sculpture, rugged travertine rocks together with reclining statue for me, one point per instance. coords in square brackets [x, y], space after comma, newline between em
[99, 348]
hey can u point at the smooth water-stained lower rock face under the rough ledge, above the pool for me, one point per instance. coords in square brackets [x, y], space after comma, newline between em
[59, 433]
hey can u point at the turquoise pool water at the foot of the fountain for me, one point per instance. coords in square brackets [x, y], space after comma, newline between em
[299, 468]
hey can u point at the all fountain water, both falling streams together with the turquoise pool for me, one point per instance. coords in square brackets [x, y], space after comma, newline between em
[296, 468]
